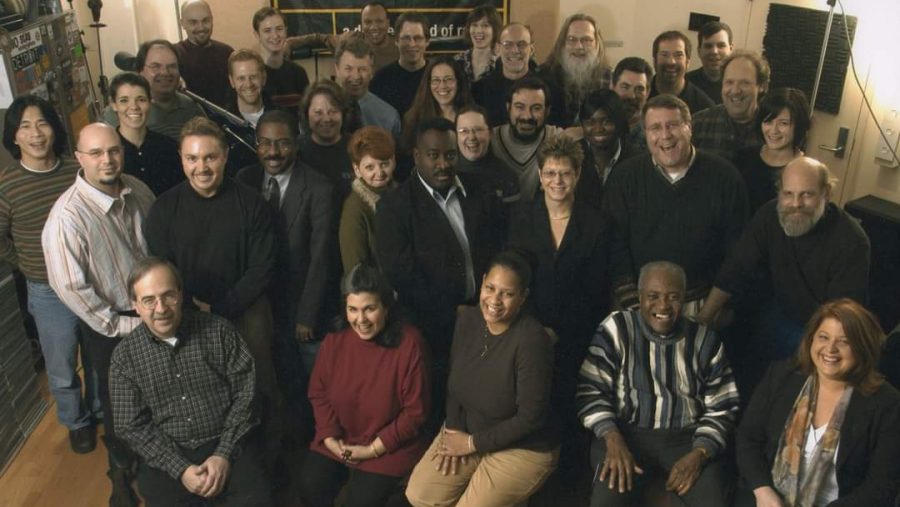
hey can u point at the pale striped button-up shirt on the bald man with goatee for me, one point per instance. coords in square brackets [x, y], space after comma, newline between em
[91, 241]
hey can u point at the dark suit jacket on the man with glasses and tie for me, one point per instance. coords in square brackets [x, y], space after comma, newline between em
[308, 238]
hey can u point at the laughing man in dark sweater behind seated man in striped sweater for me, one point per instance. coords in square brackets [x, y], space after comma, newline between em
[675, 203]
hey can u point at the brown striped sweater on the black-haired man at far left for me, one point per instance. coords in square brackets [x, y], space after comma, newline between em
[25, 201]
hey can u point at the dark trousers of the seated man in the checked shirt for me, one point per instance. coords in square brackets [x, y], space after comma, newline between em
[247, 483]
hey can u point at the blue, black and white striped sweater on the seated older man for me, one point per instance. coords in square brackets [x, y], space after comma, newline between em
[632, 376]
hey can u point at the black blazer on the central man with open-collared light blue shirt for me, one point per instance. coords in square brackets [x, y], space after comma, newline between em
[421, 257]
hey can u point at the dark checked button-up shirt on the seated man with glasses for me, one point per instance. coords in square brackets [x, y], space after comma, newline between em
[195, 392]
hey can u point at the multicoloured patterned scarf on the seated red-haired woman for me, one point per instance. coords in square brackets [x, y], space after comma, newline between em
[800, 490]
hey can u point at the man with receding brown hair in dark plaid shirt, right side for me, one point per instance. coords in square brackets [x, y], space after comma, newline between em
[731, 125]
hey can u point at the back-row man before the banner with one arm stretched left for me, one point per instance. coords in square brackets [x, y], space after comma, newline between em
[374, 26]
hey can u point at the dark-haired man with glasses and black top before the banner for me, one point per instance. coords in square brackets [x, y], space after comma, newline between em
[398, 82]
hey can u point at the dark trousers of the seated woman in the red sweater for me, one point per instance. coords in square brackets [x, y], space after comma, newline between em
[322, 479]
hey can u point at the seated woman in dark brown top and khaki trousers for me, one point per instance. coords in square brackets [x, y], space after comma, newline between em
[497, 446]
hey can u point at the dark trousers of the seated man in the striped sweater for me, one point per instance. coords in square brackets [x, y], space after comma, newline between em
[656, 452]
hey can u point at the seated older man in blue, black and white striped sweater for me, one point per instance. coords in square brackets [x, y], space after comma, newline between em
[658, 393]
